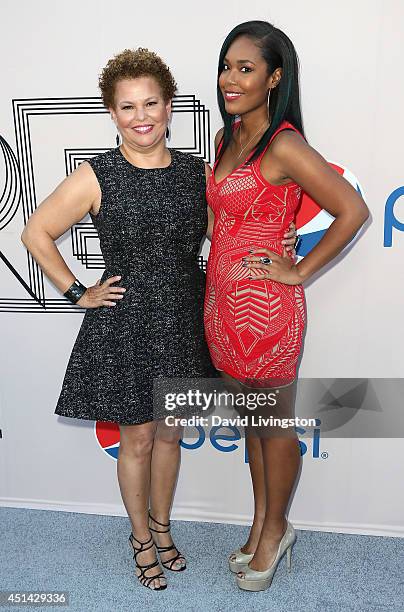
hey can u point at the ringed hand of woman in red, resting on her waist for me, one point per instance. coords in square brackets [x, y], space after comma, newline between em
[279, 268]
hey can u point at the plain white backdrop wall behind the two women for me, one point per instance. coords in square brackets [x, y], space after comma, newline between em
[351, 60]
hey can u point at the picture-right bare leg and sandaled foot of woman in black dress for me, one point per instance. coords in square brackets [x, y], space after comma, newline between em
[164, 472]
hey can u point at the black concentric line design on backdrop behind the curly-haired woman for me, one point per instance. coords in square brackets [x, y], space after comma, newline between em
[22, 186]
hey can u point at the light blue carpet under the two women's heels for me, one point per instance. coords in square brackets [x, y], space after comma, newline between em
[89, 556]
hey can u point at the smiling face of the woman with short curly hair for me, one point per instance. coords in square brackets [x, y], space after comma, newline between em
[140, 113]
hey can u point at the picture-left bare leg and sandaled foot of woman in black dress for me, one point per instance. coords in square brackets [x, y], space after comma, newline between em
[134, 461]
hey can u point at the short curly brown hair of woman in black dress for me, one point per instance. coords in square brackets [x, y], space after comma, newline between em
[131, 64]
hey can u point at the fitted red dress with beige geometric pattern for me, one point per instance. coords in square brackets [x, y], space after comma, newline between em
[253, 327]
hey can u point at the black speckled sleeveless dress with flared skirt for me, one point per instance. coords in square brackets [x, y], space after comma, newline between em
[150, 225]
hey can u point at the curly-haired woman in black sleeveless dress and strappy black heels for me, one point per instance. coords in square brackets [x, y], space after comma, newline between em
[144, 317]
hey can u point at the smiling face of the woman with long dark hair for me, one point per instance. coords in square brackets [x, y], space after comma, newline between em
[244, 81]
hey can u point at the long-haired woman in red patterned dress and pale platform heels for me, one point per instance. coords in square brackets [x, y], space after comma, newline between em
[254, 303]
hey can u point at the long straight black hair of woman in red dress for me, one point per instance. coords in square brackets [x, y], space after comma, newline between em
[284, 102]
